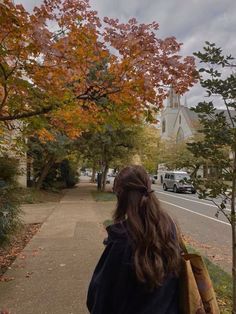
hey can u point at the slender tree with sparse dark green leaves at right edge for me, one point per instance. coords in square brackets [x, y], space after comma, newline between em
[218, 145]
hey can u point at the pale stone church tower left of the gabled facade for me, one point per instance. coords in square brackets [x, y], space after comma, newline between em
[168, 115]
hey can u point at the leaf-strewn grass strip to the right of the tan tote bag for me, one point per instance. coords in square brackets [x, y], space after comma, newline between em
[221, 281]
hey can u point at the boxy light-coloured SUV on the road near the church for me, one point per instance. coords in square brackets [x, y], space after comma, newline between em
[178, 181]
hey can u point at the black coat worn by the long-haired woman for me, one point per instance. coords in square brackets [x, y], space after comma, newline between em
[114, 288]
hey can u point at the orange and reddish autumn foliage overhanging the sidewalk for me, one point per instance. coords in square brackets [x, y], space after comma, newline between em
[64, 60]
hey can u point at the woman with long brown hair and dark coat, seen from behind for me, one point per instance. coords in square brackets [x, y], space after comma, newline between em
[138, 270]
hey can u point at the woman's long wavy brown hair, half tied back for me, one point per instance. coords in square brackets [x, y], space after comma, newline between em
[156, 250]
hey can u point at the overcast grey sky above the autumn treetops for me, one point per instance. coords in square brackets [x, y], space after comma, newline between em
[192, 22]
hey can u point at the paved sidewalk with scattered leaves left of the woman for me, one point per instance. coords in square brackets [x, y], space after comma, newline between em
[53, 272]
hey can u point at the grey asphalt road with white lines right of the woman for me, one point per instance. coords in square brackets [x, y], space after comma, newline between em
[197, 220]
